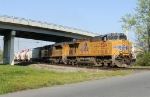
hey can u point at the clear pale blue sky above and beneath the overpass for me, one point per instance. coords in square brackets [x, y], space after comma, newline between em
[97, 16]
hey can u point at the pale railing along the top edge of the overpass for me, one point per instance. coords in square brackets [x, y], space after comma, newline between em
[33, 23]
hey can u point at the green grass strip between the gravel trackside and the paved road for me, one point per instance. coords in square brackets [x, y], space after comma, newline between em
[18, 78]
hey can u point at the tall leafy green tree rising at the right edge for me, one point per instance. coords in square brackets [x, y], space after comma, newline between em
[140, 23]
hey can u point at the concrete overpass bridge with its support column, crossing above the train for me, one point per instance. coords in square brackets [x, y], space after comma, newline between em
[11, 27]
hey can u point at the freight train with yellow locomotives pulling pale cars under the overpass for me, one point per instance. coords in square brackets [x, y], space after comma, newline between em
[111, 49]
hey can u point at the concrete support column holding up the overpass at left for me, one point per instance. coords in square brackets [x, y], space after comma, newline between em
[8, 51]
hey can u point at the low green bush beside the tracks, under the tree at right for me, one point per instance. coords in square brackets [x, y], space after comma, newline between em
[144, 60]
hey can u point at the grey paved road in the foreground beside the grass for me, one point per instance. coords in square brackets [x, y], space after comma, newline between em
[135, 85]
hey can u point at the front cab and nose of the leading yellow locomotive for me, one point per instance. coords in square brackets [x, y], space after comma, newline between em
[121, 49]
